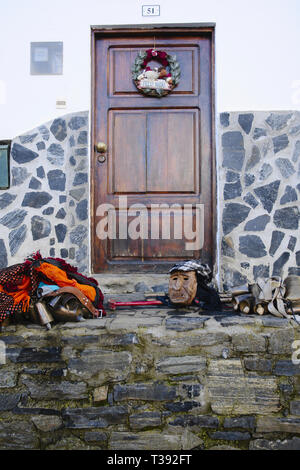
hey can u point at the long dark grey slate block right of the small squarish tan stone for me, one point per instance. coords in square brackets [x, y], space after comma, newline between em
[145, 392]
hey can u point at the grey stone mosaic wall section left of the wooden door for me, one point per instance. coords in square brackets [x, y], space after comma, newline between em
[46, 207]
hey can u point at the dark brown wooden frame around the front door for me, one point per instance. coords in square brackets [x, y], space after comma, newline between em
[115, 30]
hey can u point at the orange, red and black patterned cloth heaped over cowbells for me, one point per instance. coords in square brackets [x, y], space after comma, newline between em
[19, 283]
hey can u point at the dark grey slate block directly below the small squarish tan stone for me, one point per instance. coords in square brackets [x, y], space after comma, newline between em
[96, 417]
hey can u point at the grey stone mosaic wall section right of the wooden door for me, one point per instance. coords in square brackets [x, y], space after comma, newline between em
[259, 186]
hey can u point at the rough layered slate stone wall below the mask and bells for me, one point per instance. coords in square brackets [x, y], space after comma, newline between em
[151, 379]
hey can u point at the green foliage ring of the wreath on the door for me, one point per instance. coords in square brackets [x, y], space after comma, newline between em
[138, 67]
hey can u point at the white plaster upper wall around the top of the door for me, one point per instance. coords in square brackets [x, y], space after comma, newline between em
[257, 42]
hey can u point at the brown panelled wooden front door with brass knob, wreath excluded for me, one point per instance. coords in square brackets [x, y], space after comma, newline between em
[159, 158]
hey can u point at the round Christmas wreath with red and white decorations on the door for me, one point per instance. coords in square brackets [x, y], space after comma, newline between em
[158, 81]
